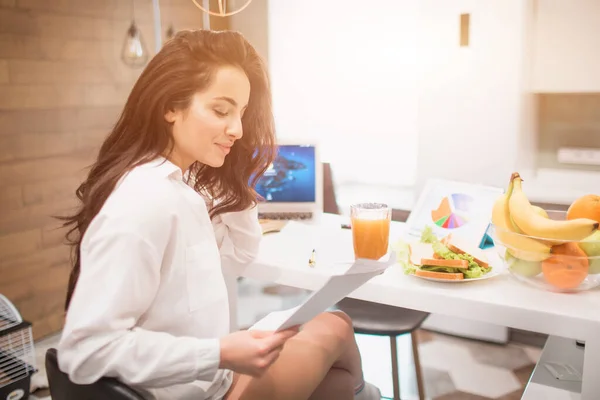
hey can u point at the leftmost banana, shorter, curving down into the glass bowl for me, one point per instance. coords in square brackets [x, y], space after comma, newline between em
[518, 245]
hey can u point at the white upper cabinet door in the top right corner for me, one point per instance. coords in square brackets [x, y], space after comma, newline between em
[567, 46]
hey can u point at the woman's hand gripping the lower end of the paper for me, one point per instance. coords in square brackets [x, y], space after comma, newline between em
[252, 352]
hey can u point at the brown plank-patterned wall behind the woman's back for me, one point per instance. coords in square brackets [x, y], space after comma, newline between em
[62, 86]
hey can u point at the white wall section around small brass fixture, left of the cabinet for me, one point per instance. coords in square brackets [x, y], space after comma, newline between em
[471, 99]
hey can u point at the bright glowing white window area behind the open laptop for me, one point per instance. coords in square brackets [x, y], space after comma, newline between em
[346, 73]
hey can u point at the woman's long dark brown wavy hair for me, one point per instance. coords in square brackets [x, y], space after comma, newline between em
[185, 65]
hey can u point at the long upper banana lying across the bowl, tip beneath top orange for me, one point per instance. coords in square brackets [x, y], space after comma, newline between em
[533, 224]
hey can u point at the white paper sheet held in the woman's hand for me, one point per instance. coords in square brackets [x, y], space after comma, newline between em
[334, 290]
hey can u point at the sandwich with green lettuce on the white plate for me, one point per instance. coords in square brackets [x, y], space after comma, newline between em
[449, 258]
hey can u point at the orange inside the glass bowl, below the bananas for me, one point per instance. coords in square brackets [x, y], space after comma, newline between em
[567, 267]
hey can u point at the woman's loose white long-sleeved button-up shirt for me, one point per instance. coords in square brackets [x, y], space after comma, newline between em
[151, 302]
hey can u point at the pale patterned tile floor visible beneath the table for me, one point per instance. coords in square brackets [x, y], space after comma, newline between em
[453, 368]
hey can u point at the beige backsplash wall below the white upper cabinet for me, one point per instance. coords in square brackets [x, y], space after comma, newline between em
[567, 120]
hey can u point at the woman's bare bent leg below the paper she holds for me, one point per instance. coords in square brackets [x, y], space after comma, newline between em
[324, 343]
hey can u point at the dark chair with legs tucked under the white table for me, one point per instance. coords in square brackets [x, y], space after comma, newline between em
[379, 319]
